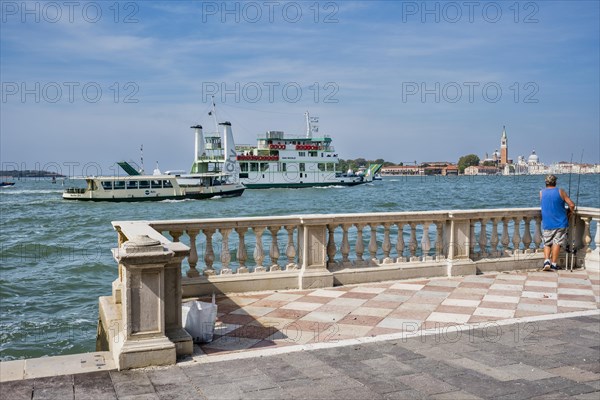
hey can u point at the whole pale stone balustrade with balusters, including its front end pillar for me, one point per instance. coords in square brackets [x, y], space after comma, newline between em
[307, 251]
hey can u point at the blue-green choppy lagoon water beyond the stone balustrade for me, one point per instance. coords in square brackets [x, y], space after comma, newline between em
[55, 258]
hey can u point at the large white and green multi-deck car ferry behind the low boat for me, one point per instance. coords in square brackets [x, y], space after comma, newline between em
[277, 160]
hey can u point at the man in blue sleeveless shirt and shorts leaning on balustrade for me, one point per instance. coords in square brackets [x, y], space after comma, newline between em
[555, 220]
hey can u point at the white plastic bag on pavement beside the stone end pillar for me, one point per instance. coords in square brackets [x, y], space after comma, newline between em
[199, 319]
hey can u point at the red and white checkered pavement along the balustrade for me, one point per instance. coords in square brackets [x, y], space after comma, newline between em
[284, 318]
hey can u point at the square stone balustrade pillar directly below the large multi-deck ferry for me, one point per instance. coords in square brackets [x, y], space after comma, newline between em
[313, 257]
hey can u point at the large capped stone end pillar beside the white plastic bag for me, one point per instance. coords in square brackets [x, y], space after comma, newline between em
[142, 340]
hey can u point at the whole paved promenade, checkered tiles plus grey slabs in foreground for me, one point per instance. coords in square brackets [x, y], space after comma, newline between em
[498, 335]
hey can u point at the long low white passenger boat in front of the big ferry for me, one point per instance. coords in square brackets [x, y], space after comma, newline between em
[155, 187]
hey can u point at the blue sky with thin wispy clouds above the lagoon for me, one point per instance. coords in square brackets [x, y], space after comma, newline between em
[85, 84]
